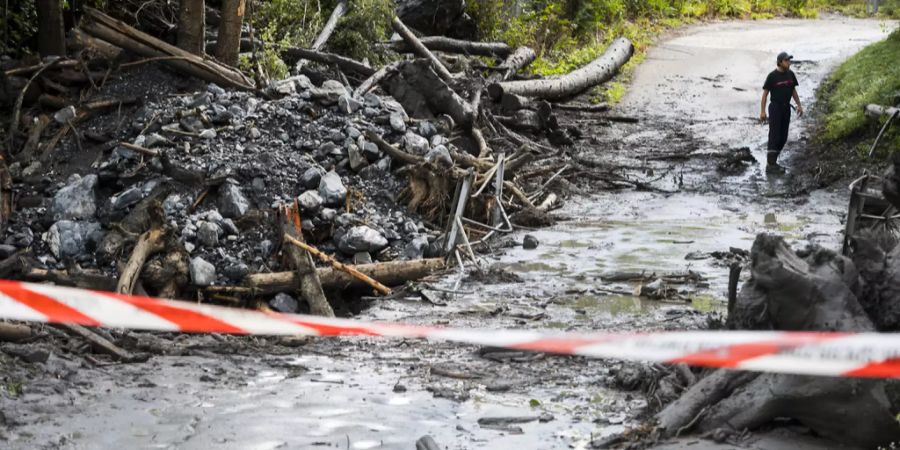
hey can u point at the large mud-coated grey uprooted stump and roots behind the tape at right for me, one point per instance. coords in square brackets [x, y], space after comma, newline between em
[813, 290]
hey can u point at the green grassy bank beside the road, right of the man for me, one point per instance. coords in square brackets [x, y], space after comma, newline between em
[870, 76]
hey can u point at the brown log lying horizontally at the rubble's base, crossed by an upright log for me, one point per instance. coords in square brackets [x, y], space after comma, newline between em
[392, 273]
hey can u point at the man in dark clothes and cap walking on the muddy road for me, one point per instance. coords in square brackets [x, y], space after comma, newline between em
[782, 85]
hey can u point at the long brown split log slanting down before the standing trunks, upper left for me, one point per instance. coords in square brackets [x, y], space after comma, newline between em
[118, 33]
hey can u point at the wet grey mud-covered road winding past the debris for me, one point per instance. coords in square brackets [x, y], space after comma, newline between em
[697, 96]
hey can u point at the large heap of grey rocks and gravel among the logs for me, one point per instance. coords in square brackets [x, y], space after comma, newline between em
[227, 160]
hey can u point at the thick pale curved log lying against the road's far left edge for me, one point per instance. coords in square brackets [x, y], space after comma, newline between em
[596, 72]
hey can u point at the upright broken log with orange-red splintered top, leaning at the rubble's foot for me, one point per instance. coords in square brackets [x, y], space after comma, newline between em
[305, 270]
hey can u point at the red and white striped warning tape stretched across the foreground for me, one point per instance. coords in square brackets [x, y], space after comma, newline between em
[873, 355]
